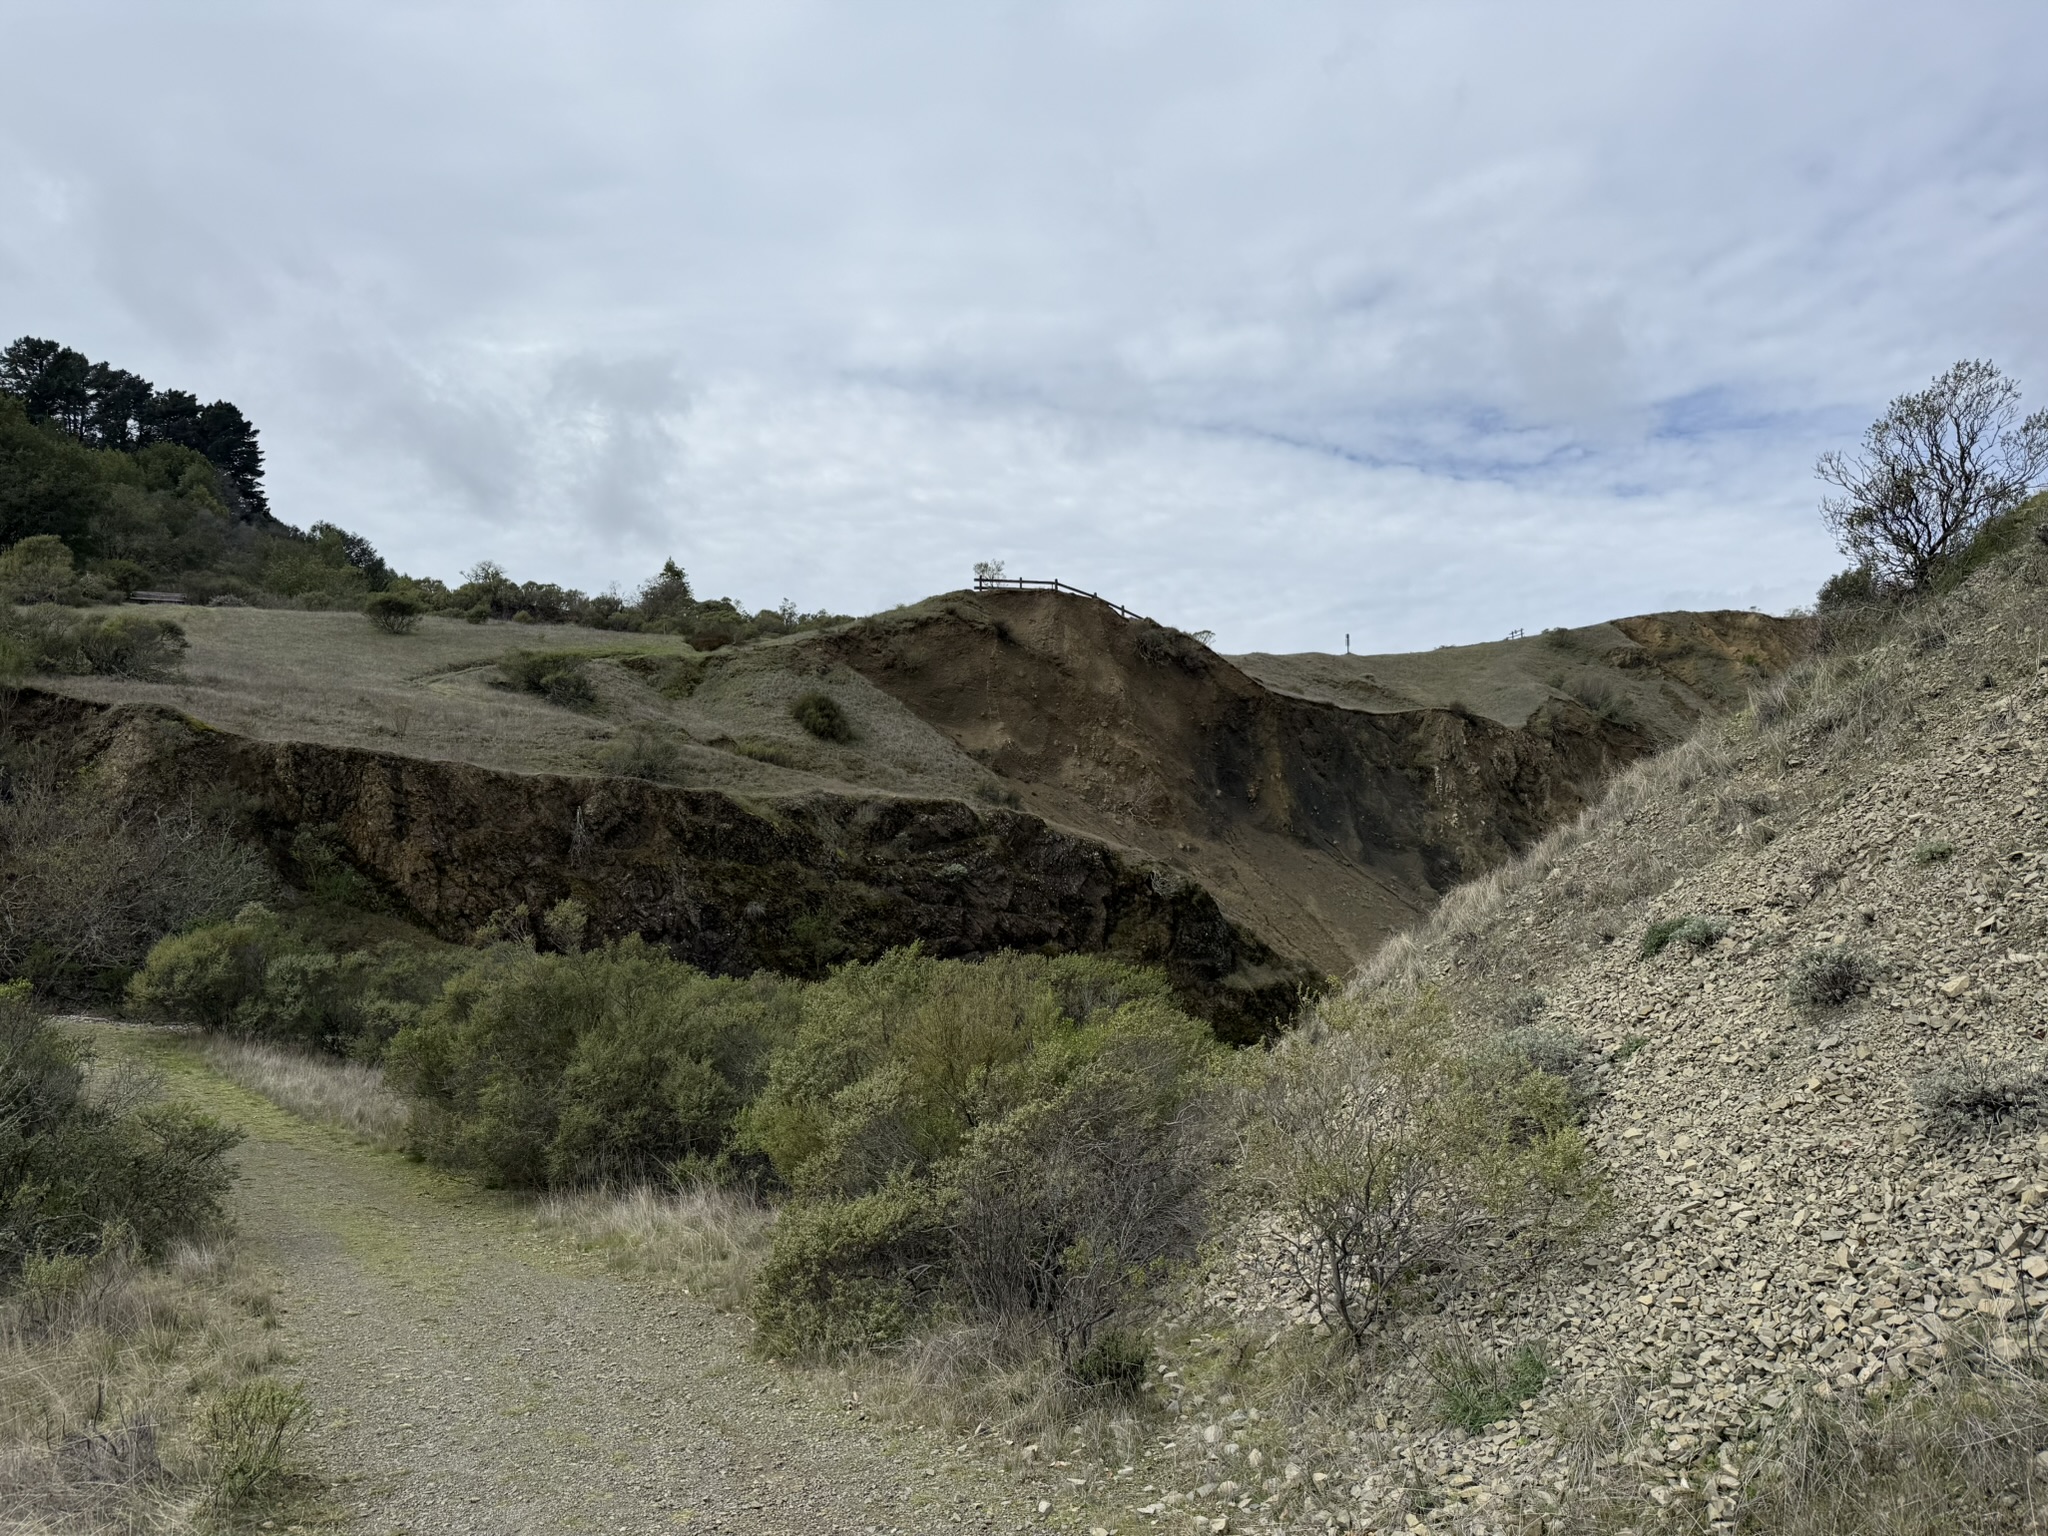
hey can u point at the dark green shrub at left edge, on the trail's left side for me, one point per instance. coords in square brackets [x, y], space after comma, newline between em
[83, 1168]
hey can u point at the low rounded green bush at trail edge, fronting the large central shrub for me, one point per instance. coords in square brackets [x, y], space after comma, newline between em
[847, 1275]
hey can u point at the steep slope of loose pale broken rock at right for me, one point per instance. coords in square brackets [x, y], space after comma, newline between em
[1820, 1195]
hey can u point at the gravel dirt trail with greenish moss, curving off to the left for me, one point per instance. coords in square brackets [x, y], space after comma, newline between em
[474, 1375]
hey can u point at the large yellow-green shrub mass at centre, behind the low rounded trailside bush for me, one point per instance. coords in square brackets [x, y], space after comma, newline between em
[1050, 1109]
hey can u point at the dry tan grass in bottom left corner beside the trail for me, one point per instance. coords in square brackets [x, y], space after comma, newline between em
[103, 1379]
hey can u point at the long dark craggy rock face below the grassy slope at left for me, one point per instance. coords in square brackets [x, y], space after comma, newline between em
[734, 888]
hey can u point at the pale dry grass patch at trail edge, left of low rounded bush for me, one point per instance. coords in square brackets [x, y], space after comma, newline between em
[712, 1240]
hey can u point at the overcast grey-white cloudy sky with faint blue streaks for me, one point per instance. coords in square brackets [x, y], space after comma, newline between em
[1416, 323]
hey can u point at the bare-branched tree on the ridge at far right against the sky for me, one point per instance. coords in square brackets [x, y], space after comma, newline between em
[1932, 472]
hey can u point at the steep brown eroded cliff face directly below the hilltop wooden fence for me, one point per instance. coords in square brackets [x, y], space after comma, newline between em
[1320, 826]
